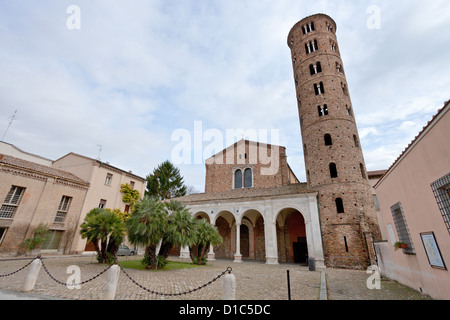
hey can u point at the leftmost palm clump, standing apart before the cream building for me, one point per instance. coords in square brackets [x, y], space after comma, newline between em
[106, 230]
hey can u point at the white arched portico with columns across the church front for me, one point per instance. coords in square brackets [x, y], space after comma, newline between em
[265, 229]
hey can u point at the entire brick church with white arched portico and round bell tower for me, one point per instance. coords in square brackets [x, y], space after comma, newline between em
[265, 214]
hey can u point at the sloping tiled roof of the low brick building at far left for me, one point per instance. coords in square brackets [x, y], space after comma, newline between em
[39, 169]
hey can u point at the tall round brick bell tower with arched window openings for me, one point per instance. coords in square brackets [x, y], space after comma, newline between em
[334, 160]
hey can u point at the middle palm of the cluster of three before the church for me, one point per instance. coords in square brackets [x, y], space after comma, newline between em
[181, 228]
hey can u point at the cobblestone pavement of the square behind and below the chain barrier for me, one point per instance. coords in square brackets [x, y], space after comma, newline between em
[254, 280]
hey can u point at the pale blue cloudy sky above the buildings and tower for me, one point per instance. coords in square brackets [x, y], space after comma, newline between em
[128, 75]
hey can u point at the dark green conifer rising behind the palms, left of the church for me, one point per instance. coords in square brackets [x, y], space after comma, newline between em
[165, 182]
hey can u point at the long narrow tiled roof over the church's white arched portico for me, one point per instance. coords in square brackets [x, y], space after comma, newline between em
[246, 194]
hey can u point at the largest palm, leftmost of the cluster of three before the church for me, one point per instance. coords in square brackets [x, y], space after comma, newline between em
[146, 226]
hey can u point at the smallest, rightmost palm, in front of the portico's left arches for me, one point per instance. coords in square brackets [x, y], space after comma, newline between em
[205, 235]
